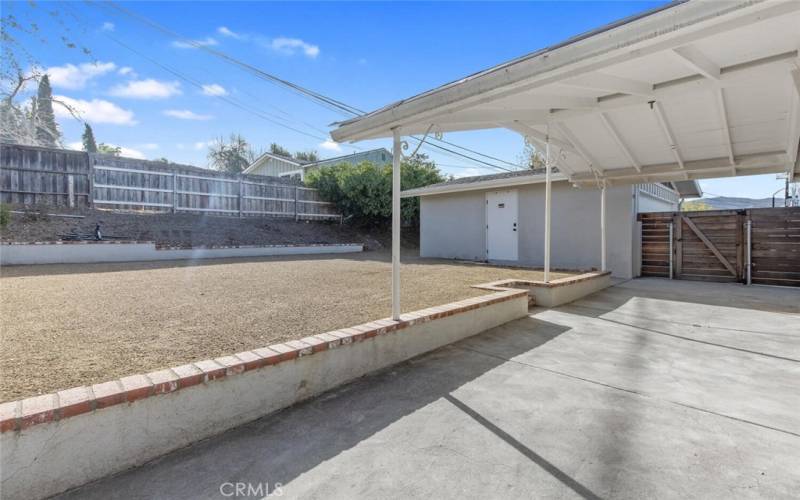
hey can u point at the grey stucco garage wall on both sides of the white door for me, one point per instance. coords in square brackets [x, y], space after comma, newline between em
[453, 226]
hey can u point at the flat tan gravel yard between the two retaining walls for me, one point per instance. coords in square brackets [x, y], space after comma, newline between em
[70, 325]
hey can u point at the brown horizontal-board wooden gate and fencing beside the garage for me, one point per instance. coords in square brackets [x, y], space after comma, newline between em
[717, 245]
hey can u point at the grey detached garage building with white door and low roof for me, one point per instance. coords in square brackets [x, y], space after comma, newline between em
[498, 218]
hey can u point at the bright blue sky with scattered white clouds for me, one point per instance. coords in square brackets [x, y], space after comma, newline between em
[365, 54]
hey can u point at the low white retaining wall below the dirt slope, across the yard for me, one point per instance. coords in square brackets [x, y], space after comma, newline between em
[89, 252]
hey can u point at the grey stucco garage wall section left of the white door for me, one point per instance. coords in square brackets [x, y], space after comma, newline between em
[453, 226]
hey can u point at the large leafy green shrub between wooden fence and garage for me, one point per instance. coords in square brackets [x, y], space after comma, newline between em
[364, 191]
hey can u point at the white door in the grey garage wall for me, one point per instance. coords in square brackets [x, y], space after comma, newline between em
[501, 225]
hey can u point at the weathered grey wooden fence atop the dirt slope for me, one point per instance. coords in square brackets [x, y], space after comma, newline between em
[67, 178]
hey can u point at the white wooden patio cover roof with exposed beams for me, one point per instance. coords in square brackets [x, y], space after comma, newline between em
[697, 90]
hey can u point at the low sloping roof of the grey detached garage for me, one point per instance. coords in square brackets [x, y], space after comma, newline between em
[516, 178]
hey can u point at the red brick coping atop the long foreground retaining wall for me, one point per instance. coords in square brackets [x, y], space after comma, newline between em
[22, 414]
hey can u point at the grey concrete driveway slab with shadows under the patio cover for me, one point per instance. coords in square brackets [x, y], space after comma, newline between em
[649, 389]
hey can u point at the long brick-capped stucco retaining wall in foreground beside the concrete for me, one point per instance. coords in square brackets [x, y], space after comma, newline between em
[54, 442]
